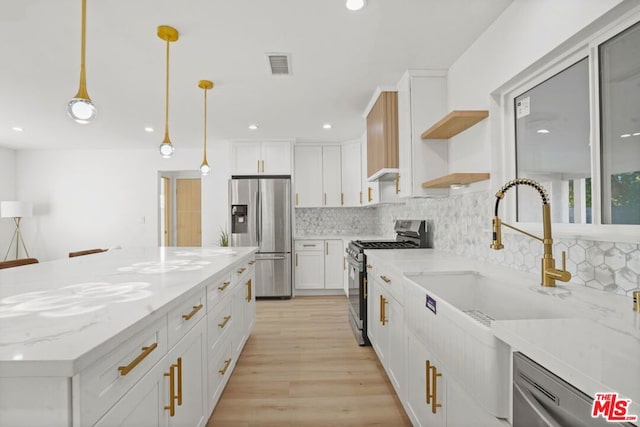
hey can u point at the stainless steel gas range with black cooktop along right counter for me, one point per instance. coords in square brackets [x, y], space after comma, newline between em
[410, 234]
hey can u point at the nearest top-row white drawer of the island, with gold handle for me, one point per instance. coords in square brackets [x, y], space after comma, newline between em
[108, 379]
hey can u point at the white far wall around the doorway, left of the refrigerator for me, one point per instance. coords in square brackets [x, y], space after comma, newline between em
[104, 198]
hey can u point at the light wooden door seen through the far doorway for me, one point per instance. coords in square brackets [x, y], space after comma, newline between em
[188, 212]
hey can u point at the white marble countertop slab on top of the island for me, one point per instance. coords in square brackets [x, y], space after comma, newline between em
[55, 315]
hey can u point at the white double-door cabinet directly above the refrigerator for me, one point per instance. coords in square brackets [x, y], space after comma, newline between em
[254, 158]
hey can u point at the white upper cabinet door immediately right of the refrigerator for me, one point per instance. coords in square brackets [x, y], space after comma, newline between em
[308, 176]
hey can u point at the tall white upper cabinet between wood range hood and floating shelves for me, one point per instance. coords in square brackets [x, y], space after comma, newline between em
[422, 99]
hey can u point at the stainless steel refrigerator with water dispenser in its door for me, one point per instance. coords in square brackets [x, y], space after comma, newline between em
[260, 215]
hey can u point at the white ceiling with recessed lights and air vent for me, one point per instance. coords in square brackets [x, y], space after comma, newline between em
[339, 57]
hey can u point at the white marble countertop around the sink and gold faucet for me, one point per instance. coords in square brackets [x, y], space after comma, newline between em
[597, 349]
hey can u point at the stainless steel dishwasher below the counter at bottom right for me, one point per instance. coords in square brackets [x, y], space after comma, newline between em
[542, 399]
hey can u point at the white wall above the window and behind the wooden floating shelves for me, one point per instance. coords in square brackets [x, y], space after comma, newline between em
[525, 32]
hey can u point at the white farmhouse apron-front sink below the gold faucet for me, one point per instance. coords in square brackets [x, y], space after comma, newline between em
[453, 311]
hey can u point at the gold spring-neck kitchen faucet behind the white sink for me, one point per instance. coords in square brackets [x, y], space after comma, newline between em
[549, 272]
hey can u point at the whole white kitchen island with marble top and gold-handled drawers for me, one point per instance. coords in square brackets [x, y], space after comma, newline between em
[144, 336]
